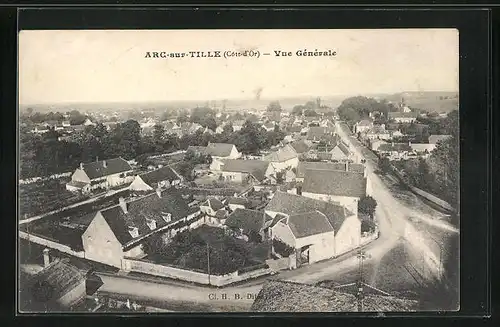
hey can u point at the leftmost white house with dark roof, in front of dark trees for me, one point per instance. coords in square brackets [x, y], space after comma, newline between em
[100, 174]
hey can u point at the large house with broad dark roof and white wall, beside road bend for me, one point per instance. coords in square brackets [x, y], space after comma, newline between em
[343, 187]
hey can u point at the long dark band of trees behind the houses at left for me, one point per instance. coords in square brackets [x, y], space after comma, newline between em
[43, 155]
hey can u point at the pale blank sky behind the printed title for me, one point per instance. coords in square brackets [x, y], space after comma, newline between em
[111, 66]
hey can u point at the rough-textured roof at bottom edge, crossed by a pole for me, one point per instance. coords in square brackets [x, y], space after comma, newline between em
[285, 296]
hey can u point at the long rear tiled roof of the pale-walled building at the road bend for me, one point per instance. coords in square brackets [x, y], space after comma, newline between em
[291, 204]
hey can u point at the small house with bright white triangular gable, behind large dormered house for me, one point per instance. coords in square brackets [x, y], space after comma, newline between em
[163, 178]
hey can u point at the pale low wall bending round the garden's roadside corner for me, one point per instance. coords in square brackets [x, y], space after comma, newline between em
[150, 268]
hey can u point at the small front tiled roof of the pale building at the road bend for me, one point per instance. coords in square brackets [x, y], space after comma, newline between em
[309, 223]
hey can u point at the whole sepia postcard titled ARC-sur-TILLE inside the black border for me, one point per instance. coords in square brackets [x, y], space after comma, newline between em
[183, 171]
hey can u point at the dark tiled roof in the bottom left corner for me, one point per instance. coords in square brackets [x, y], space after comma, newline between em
[61, 277]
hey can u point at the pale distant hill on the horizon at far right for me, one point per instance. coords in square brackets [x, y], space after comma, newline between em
[441, 102]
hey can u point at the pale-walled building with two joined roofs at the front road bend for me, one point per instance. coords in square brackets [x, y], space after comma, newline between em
[316, 229]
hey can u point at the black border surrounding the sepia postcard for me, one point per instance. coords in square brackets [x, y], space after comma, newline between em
[474, 101]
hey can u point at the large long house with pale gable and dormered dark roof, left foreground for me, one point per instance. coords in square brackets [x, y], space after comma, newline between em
[119, 231]
